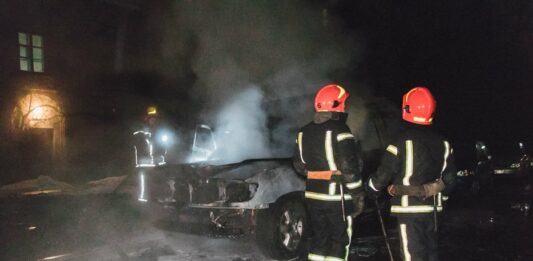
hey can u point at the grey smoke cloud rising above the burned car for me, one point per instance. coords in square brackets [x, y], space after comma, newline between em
[275, 53]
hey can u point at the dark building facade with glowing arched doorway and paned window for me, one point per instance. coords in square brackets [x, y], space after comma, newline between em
[54, 55]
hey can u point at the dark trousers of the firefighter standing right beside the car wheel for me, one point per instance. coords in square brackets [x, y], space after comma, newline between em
[331, 234]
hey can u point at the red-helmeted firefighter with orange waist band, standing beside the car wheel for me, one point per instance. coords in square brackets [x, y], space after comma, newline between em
[327, 153]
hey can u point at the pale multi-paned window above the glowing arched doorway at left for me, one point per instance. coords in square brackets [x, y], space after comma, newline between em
[31, 55]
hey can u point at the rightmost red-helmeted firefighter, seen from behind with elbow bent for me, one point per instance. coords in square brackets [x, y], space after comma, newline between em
[421, 168]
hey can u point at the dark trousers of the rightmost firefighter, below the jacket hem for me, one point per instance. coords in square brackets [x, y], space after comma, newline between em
[418, 239]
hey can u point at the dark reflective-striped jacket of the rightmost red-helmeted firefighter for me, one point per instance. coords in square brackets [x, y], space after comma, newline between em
[419, 156]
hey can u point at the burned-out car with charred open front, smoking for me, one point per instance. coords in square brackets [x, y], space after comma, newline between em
[258, 196]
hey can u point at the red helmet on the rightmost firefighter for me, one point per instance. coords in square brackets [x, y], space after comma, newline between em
[418, 106]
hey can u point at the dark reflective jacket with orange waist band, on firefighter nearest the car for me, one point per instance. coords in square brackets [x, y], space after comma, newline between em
[326, 147]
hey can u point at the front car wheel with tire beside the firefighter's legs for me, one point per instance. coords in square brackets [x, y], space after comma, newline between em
[281, 230]
